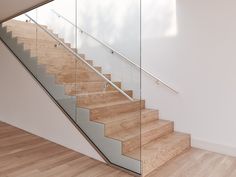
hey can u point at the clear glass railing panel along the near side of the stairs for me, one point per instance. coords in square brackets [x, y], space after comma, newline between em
[98, 91]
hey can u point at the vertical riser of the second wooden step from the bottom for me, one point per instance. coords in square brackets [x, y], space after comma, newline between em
[147, 137]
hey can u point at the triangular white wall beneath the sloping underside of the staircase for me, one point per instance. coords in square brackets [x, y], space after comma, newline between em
[24, 104]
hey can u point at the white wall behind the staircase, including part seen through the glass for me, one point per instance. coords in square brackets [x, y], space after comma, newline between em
[189, 44]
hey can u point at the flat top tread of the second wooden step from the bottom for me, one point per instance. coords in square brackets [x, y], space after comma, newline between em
[139, 130]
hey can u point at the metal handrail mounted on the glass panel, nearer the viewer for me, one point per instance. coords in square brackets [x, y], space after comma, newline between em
[82, 59]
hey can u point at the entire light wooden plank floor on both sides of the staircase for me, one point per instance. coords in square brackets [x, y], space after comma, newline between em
[26, 155]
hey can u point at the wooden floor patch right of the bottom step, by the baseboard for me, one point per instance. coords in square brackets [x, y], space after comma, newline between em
[198, 163]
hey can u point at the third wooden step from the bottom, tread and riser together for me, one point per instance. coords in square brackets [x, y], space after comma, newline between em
[129, 120]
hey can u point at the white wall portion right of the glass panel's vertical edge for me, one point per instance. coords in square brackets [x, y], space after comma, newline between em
[198, 59]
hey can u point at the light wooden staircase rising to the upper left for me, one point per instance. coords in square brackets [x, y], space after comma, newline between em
[106, 108]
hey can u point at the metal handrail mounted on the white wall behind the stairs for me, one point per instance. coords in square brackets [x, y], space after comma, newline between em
[118, 53]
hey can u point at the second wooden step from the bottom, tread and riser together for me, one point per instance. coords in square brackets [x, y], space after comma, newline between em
[150, 131]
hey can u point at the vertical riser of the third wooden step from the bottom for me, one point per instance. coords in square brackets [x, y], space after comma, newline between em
[130, 122]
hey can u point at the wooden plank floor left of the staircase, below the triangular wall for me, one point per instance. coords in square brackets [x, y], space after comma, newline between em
[26, 155]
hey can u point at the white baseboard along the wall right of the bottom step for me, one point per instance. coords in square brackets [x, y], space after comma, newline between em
[222, 149]
